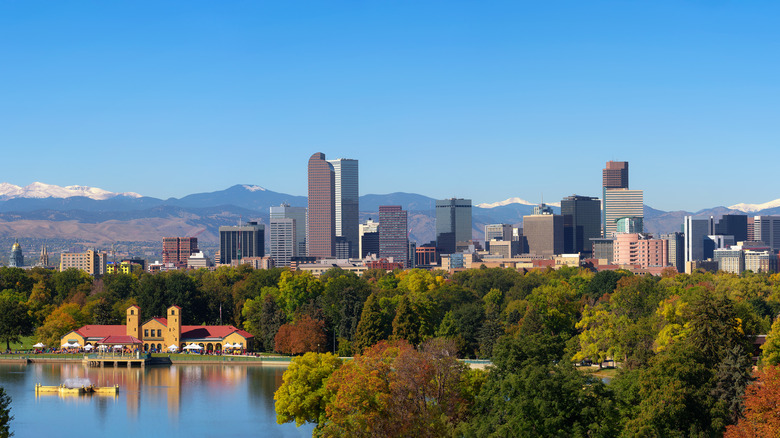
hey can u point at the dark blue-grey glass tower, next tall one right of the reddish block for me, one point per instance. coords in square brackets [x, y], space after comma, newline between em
[453, 223]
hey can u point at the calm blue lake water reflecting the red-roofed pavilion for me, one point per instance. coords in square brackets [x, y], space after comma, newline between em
[169, 401]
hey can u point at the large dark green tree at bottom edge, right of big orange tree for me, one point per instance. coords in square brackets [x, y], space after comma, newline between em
[530, 393]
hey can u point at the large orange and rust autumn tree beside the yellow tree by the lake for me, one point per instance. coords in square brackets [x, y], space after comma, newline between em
[394, 390]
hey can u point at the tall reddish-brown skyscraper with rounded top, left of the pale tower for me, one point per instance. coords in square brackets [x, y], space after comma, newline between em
[321, 229]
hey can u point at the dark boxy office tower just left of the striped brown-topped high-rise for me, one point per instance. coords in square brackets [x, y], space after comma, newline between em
[581, 222]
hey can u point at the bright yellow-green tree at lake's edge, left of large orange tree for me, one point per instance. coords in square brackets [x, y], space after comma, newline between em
[302, 397]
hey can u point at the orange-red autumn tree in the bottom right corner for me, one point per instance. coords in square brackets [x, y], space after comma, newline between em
[762, 408]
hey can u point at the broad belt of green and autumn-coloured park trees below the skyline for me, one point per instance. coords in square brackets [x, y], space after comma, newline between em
[684, 343]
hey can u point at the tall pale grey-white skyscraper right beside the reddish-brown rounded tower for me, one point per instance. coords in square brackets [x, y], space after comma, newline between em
[347, 202]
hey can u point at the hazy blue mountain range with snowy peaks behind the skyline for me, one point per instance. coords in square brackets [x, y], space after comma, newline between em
[100, 217]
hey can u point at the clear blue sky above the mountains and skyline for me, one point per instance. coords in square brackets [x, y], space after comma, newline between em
[483, 100]
